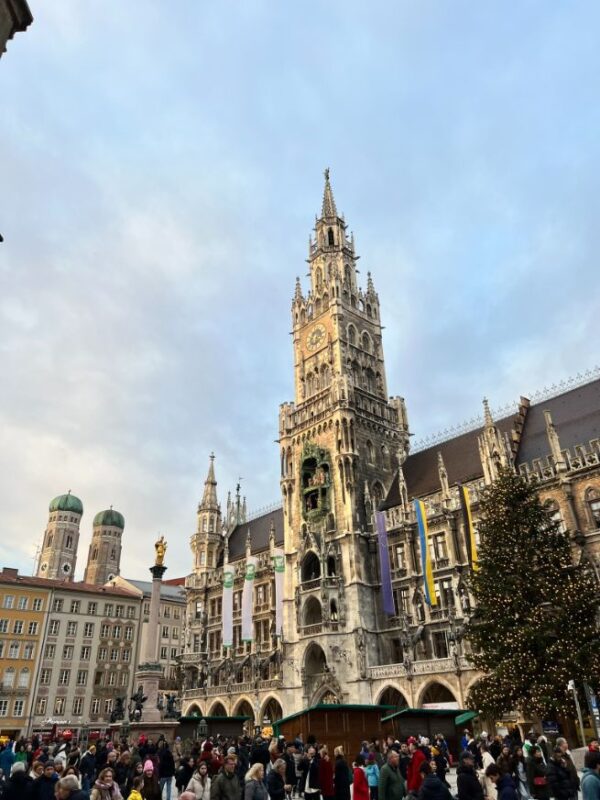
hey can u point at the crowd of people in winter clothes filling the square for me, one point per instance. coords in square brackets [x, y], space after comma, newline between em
[240, 768]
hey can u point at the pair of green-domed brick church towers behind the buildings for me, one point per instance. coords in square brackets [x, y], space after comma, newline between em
[58, 555]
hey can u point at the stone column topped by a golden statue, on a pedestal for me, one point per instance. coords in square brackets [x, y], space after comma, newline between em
[149, 672]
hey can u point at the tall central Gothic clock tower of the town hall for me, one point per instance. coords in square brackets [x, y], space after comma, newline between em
[341, 443]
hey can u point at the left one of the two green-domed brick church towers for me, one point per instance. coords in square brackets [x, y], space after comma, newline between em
[59, 548]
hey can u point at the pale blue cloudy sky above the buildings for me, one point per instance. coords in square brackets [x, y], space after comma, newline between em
[161, 165]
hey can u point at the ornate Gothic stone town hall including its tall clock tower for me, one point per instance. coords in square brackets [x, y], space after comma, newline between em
[344, 449]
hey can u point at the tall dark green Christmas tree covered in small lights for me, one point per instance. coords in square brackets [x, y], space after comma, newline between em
[534, 626]
